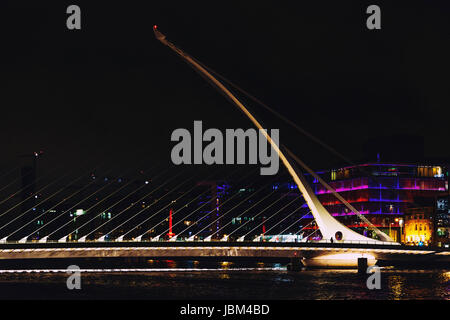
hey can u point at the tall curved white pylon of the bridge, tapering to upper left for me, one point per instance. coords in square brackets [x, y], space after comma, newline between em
[328, 225]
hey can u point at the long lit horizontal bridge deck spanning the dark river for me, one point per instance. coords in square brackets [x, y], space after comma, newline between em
[209, 249]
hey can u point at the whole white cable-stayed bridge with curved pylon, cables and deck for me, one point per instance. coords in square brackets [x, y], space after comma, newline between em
[158, 216]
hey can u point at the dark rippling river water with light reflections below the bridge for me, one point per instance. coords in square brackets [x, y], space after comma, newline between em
[193, 280]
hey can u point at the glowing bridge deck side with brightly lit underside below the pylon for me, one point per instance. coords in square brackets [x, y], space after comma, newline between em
[340, 255]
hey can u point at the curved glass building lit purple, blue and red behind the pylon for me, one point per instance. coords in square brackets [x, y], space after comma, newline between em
[380, 191]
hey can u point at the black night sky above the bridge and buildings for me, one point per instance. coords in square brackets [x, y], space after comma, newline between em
[112, 91]
